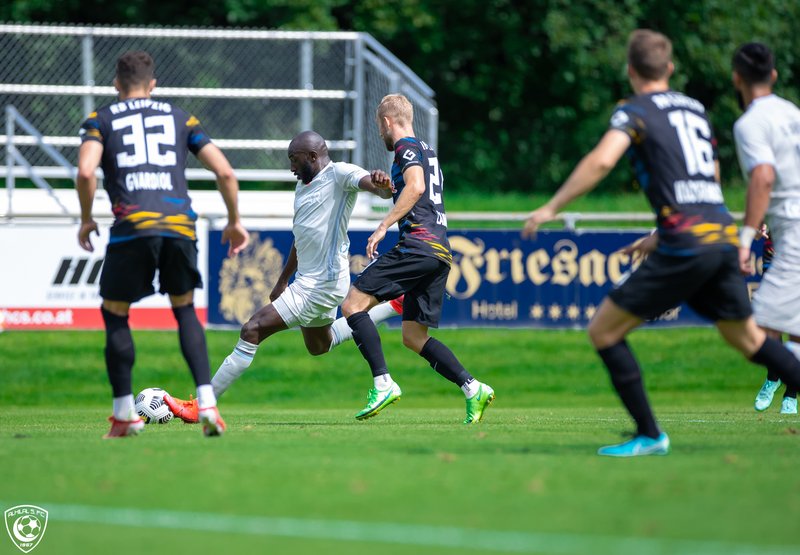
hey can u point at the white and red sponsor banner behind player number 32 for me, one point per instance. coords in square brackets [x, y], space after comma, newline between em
[48, 281]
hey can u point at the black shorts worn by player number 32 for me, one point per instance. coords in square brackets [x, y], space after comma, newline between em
[130, 266]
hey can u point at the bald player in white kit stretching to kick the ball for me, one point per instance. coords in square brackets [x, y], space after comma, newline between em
[324, 200]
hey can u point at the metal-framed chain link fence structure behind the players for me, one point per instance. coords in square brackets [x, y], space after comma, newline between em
[252, 90]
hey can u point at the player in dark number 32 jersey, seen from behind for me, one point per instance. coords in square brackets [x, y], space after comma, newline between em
[142, 146]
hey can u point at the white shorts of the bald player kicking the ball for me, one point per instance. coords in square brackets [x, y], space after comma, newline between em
[311, 303]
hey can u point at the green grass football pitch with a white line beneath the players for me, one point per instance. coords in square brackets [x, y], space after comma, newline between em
[297, 474]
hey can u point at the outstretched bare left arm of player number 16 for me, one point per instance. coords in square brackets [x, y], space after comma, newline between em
[585, 177]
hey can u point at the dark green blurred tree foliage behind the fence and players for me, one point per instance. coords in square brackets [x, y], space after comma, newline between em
[524, 88]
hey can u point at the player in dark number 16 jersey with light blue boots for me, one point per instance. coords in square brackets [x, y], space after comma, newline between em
[694, 254]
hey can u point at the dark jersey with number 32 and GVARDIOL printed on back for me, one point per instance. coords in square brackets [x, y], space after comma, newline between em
[145, 149]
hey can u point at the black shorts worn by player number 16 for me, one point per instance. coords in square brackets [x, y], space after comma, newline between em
[710, 283]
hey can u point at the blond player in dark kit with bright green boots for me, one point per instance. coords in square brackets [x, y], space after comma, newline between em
[417, 267]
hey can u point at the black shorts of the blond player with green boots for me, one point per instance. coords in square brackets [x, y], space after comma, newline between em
[422, 279]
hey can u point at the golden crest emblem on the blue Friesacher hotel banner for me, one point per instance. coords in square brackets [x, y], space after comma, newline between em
[246, 281]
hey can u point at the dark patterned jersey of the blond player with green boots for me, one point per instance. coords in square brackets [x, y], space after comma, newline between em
[424, 229]
